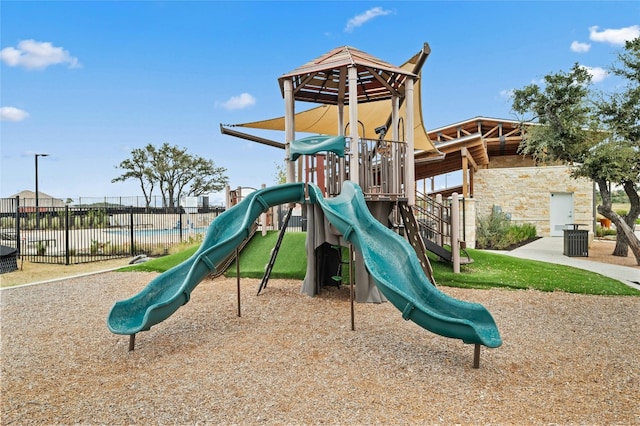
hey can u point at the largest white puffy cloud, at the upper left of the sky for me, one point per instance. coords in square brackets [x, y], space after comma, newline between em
[36, 55]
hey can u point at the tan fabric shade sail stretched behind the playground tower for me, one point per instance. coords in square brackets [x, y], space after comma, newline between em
[324, 118]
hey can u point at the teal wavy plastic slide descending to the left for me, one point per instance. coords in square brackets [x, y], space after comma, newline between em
[172, 289]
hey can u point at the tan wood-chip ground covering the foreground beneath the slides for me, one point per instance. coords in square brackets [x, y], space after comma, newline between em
[291, 359]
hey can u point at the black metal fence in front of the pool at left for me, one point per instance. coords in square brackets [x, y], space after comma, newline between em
[80, 234]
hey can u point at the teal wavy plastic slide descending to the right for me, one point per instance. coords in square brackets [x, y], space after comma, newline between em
[394, 267]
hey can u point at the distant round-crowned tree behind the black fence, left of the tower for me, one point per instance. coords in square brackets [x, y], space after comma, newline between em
[174, 171]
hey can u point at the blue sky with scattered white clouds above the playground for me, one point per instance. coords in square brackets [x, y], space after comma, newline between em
[87, 82]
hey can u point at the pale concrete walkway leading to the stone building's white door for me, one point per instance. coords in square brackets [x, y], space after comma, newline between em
[549, 249]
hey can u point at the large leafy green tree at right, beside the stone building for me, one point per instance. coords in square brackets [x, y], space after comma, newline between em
[597, 134]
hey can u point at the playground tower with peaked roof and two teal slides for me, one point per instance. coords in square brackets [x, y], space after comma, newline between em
[356, 191]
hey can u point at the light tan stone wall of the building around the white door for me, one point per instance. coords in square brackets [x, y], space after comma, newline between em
[525, 194]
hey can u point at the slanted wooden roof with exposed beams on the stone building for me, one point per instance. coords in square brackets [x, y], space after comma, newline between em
[472, 141]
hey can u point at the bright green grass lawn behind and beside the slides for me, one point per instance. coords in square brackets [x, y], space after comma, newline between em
[489, 270]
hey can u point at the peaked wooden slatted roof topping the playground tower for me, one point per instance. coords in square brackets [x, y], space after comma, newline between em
[325, 79]
